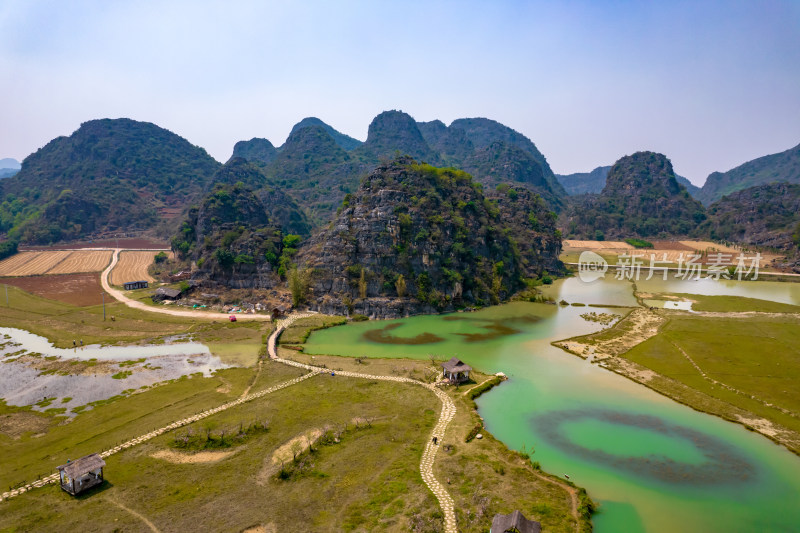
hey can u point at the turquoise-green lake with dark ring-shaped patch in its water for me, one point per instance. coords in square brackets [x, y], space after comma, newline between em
[653, 465]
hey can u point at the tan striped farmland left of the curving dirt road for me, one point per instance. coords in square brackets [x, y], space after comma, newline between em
[55, 262]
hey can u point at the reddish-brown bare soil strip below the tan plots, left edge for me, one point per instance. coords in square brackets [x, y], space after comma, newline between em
[76, 289]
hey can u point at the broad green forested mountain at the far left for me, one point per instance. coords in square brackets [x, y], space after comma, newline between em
[110, 175]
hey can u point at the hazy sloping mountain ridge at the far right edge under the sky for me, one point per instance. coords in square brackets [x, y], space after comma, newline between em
[780, 167]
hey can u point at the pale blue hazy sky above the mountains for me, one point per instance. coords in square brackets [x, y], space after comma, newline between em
[709, 84]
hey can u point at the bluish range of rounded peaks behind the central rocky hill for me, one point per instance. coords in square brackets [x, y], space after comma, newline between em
[318, 166]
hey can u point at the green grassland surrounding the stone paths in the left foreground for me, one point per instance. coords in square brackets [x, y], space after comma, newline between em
[363, 475]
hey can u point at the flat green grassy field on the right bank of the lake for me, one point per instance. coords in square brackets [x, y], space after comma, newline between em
[751, 365]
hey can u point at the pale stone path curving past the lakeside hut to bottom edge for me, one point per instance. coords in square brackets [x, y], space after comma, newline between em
[429, 454]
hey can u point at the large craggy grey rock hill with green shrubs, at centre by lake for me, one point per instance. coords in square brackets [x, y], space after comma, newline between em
[413, 239]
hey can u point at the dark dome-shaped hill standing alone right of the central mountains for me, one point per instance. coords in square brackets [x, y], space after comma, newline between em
[641, 198]
